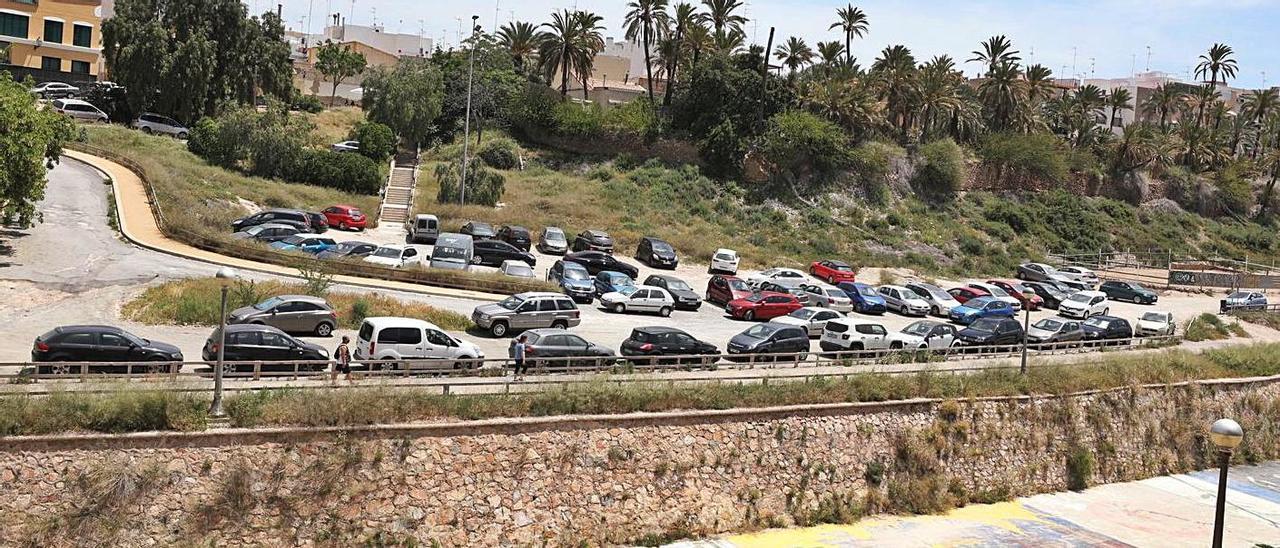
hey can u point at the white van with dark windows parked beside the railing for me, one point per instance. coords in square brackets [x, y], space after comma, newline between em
[409, 339]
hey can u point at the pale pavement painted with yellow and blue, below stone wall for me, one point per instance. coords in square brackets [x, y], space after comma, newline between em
[1172, 512]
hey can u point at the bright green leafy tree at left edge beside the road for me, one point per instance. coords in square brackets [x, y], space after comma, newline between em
[30, 144]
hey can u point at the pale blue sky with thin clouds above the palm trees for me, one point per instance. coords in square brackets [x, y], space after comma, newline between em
[1073, 38]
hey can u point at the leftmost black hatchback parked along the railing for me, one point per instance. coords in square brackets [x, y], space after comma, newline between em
[100, 344]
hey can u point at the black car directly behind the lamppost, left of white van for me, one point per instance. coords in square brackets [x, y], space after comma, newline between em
[257, 342]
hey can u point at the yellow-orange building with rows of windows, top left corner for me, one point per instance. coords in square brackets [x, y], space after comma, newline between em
[53, 35]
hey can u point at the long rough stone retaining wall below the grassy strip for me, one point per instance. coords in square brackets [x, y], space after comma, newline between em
[606, 481]
